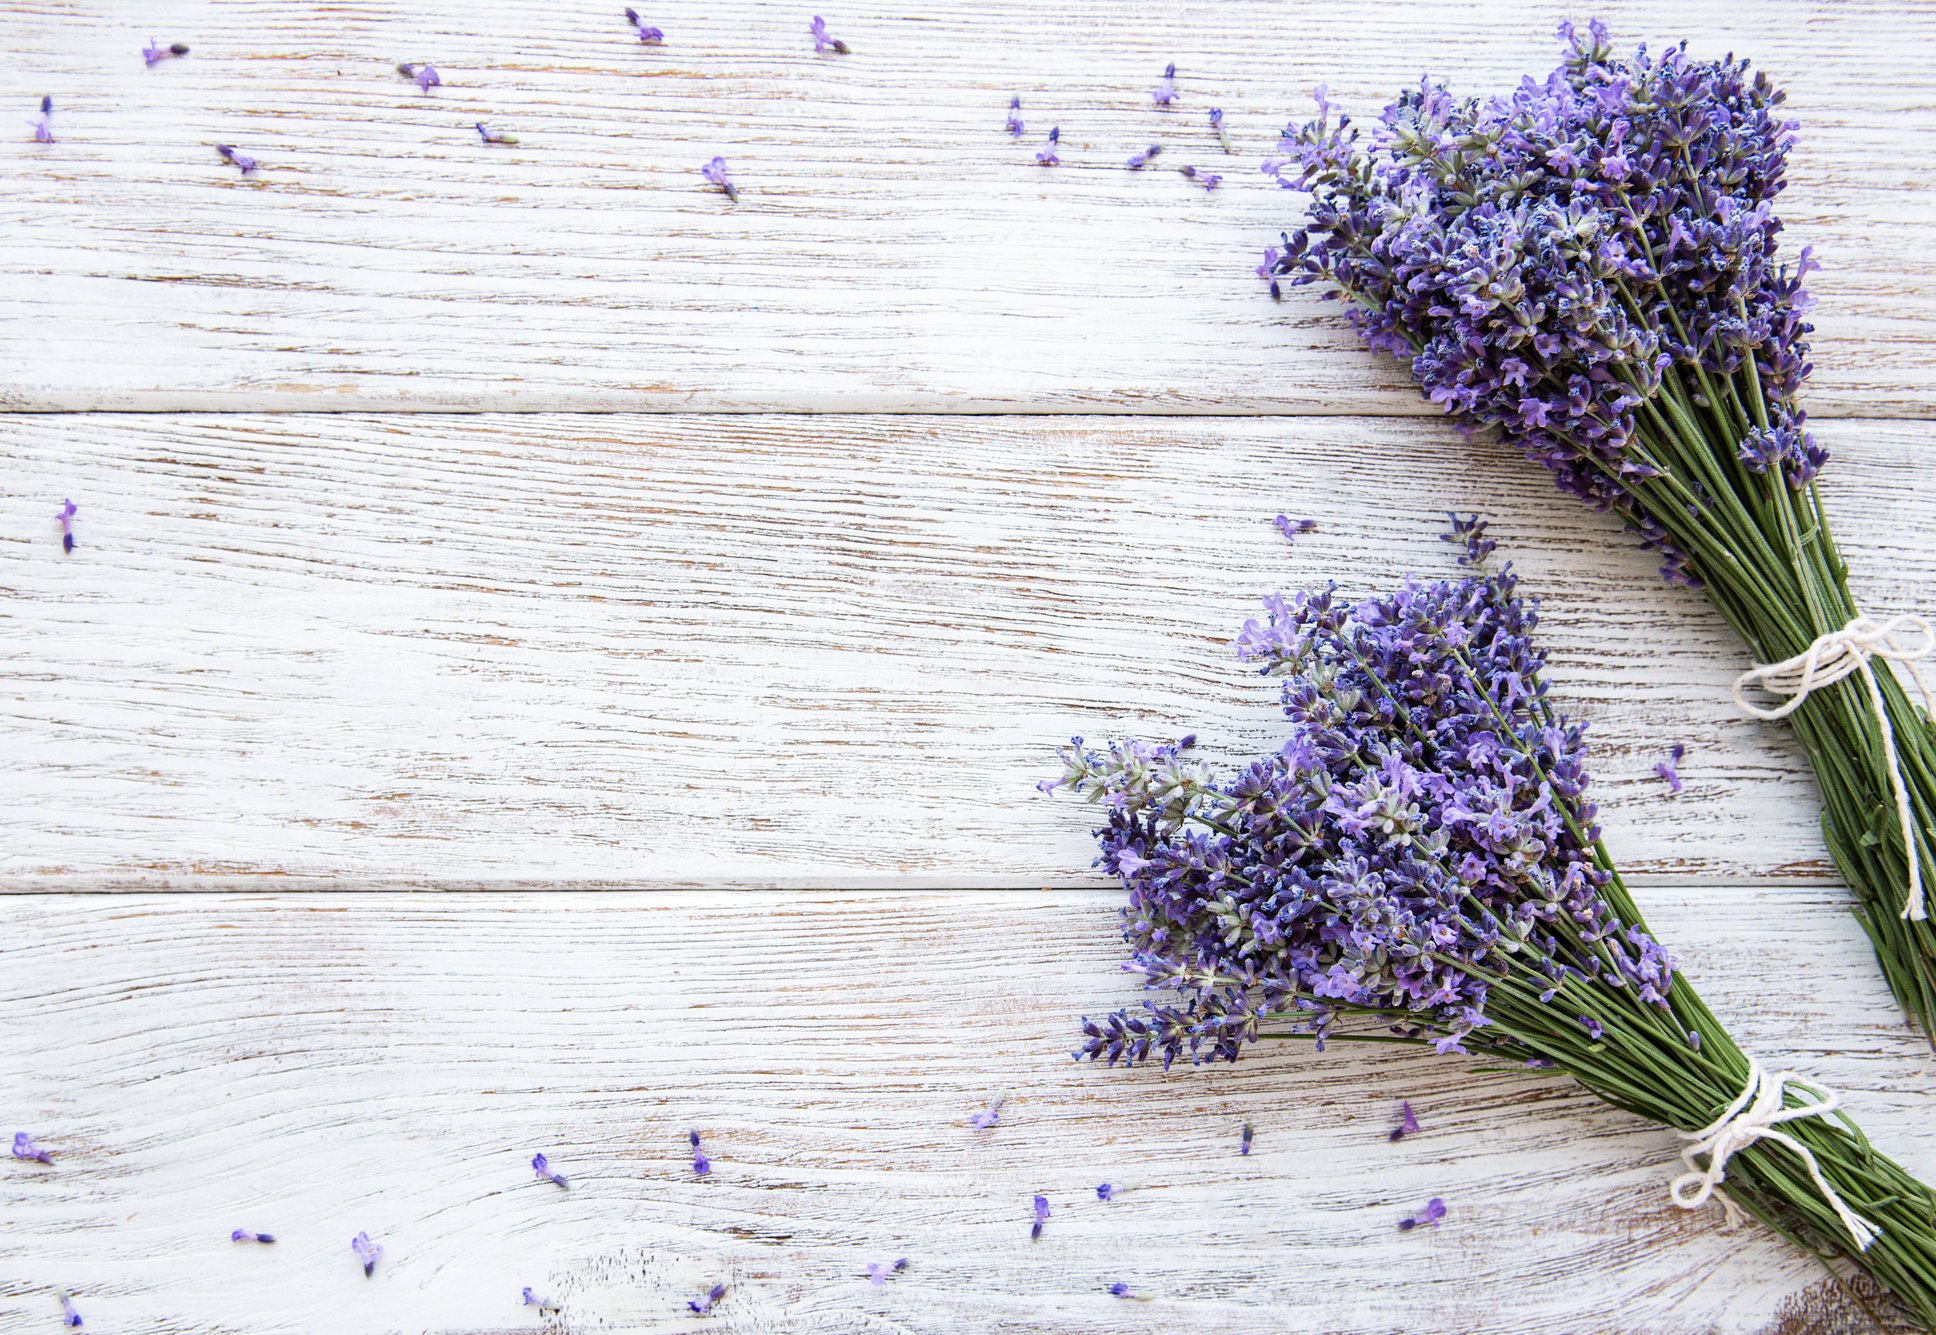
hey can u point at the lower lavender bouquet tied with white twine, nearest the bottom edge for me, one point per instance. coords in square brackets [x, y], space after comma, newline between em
[1420, 864]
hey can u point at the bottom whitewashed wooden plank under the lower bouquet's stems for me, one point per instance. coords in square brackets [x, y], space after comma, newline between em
[326, 1065]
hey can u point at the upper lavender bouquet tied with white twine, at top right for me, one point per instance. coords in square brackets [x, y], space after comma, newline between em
[1590, 268]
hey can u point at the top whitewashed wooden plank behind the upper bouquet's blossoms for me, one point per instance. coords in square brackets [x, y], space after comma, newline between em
[893, 249]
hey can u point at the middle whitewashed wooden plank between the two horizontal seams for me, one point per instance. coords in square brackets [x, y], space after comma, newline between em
[775, 651]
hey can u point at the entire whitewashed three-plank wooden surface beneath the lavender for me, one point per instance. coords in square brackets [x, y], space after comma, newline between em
[715, 725]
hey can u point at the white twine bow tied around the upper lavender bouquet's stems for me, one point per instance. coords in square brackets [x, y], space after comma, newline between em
[1842, 655]
